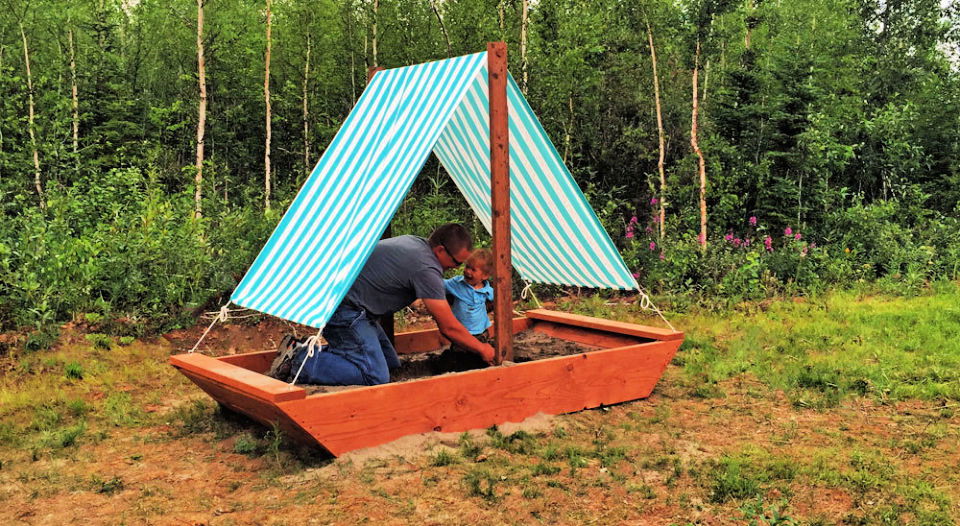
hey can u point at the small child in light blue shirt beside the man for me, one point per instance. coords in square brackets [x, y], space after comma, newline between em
[468, 295]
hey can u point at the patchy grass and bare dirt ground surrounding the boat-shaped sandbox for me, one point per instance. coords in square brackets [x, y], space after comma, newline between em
[840, 409]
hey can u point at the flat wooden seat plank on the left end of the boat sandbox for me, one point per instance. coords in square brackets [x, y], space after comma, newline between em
[243, 380]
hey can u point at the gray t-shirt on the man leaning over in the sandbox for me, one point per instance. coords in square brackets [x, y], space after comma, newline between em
[400, 270]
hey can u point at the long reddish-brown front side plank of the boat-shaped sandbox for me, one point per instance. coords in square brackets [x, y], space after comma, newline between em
[369, 416]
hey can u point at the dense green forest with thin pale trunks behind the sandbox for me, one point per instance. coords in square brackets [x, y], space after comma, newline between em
[733, 150]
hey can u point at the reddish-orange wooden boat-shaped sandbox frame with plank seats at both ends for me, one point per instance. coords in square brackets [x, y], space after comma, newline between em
[627, 364]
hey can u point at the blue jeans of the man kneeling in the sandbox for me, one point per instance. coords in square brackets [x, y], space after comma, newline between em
[358, 353]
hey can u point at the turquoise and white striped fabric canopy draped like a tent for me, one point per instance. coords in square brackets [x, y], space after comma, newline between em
[332, 226]
